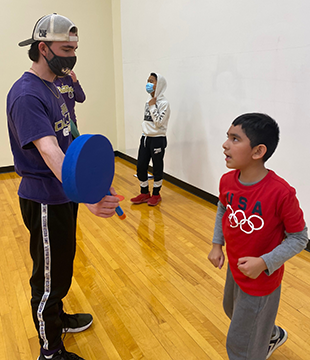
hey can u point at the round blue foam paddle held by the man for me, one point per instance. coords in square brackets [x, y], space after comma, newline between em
[88, 170]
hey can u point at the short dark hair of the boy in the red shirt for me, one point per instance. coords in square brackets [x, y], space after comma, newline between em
[260, 129]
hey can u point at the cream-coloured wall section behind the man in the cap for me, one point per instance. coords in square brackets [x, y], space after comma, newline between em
[99, 55]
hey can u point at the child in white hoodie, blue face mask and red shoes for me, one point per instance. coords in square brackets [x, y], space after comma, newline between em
[153, 141]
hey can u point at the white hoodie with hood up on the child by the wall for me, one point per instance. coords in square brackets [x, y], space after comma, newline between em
[156, 116]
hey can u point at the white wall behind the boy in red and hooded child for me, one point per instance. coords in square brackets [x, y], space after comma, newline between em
[221, 58]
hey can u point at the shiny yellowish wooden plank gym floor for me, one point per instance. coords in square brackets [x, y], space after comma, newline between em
[146, 281]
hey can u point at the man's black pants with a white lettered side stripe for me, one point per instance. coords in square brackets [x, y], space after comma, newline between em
[52, 248]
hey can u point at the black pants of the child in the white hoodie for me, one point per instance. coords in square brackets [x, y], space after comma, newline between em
[151, 148]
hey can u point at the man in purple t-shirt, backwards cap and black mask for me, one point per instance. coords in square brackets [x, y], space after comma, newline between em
[40, 134]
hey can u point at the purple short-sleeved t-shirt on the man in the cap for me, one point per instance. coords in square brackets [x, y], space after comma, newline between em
[34, 112]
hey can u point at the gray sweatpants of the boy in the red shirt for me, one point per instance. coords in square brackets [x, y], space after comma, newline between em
[252, 321]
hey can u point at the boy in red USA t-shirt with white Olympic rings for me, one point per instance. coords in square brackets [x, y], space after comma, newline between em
[257, 210]
